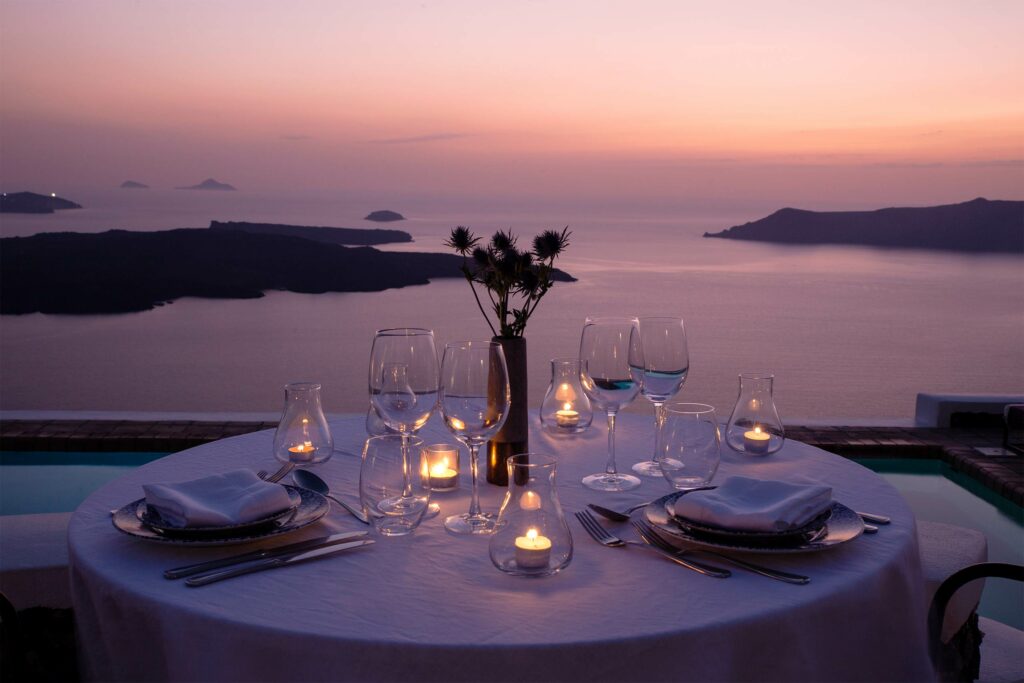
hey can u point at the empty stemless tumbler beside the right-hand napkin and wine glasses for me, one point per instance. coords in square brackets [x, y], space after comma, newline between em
[691, 446]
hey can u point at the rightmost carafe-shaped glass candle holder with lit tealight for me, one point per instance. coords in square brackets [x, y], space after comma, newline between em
[755, 428]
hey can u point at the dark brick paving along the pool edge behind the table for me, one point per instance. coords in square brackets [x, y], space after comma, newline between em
[974, 451]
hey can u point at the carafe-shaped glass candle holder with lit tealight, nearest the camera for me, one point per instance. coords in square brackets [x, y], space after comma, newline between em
[531, 537]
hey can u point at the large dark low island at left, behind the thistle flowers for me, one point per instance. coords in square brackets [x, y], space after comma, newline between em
[124, 272]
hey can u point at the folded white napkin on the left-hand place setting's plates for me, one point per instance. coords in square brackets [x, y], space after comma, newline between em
[222, 500]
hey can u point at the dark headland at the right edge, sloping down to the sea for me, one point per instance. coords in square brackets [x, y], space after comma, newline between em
[977, 227]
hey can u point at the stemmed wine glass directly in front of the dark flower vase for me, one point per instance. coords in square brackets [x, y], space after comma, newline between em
[475, 402]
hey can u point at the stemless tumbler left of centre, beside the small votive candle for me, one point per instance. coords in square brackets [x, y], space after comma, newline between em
[395, 491]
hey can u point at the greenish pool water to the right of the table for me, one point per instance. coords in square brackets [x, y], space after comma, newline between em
[938, 494]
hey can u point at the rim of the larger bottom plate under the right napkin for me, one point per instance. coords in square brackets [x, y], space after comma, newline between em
[842, 526]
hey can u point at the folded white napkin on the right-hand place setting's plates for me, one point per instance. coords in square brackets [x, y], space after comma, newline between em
[744, 504]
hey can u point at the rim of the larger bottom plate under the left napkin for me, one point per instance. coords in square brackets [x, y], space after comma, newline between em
[312, 507]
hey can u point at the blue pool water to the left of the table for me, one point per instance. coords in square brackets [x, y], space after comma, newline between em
[33, 483]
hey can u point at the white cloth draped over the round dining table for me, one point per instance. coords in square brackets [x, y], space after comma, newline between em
[432, 607]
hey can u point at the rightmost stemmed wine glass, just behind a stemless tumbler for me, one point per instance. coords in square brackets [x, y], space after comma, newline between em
[666, 364]
